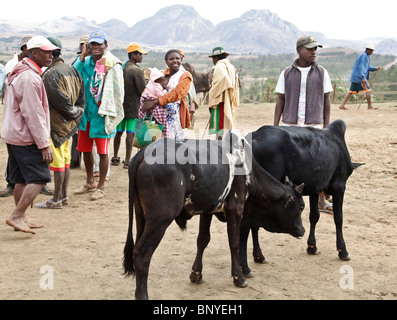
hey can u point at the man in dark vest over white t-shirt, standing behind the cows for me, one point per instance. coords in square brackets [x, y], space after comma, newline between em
[304, 95]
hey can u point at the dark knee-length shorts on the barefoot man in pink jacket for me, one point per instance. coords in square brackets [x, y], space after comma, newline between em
[26, 165]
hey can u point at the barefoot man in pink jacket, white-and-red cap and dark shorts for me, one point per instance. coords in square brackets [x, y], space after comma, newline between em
[26, 130]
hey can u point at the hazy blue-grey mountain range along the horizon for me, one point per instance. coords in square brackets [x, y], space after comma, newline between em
[256, 31]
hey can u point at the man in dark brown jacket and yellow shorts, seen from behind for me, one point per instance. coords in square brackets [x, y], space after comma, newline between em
[65, 91]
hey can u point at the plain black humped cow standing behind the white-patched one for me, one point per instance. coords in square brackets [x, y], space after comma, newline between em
[317, 158]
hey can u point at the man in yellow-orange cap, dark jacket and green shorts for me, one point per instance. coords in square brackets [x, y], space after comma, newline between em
[134, 84]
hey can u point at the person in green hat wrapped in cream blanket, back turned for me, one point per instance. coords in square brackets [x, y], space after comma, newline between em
[224, 94]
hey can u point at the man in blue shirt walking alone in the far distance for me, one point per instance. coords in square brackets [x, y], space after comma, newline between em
[360, 76]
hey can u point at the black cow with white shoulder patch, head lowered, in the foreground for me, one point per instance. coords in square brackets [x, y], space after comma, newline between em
[176, 180]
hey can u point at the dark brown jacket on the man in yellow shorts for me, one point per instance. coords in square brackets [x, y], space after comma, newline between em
[65, 91]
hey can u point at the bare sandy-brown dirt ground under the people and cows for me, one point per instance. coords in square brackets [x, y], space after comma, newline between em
[78, 253]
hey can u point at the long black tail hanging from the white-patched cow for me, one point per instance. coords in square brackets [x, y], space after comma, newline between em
[128, 261]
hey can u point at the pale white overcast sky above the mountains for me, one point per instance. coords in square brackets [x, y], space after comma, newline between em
[336, 19]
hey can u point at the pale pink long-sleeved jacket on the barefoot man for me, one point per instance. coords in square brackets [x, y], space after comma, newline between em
[26, 118]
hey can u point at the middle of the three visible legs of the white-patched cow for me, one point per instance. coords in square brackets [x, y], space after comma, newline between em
[203, 239]
